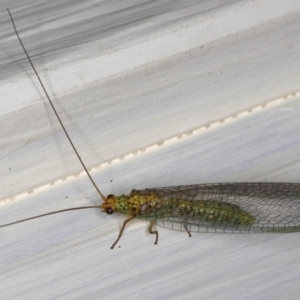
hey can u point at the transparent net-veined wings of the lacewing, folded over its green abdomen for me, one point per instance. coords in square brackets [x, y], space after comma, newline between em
[228, 207]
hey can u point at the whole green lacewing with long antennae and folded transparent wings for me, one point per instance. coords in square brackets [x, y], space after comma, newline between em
[215, 208]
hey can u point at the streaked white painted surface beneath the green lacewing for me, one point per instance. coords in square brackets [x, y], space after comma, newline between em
[126, 75]
